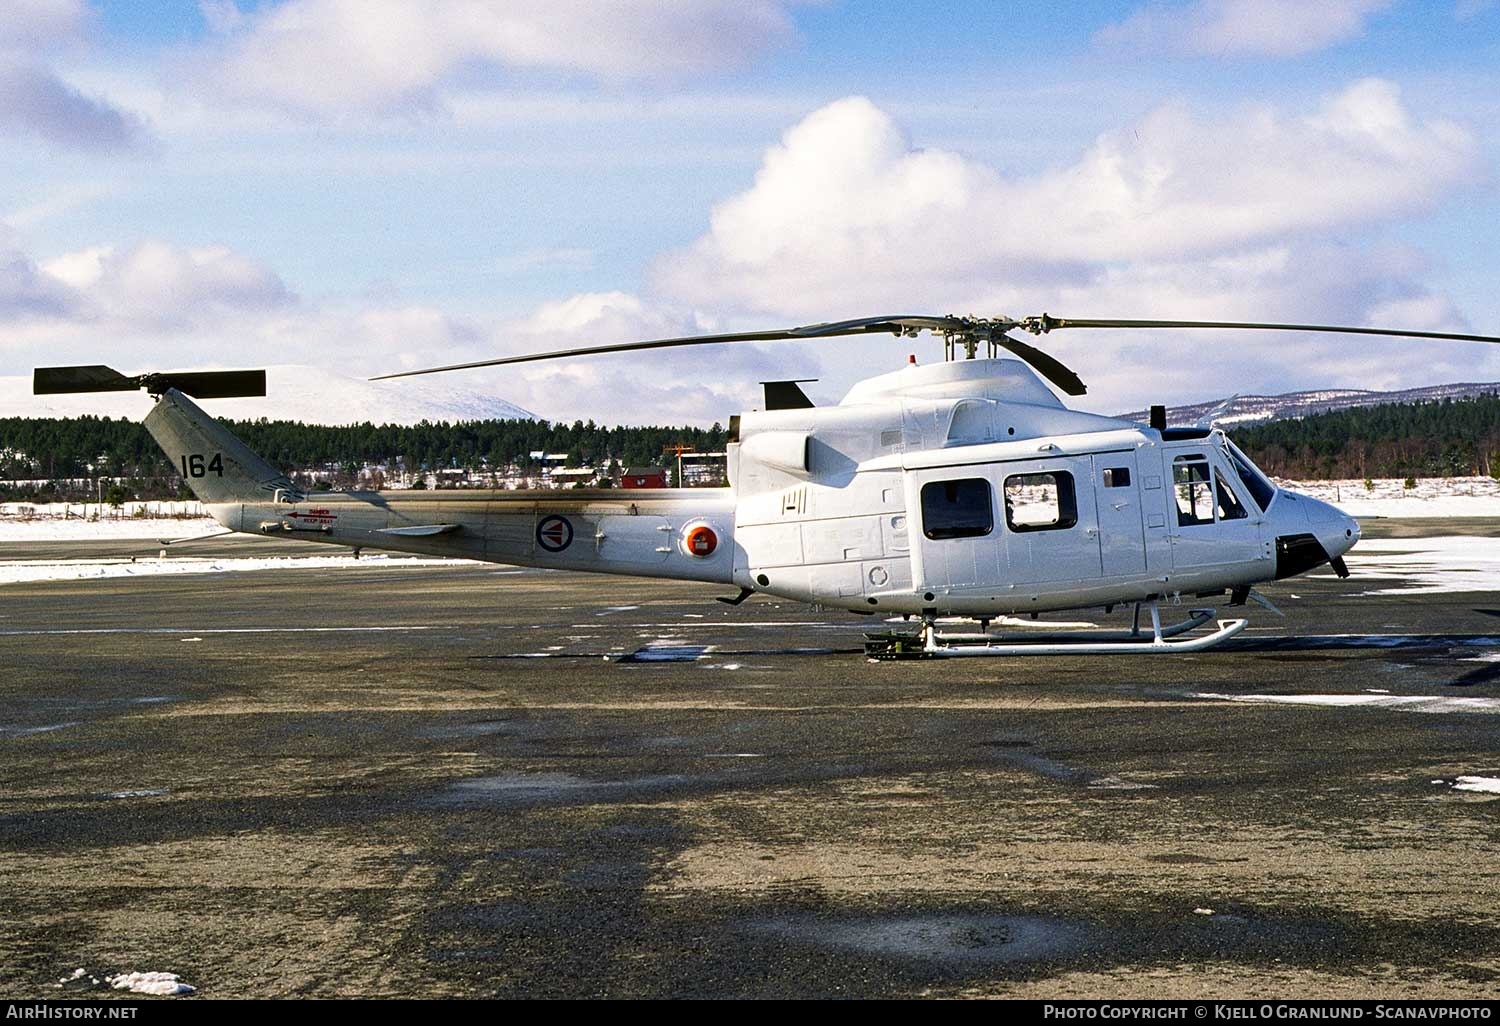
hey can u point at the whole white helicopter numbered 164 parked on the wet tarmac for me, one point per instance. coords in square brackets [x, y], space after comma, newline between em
[958, 490]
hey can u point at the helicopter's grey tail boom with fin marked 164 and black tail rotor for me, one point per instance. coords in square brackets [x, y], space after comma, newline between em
[685, 535]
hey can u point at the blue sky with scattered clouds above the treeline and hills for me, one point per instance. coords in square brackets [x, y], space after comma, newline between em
[365, 187]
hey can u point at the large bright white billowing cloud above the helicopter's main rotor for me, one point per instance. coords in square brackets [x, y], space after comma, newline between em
[847, 215]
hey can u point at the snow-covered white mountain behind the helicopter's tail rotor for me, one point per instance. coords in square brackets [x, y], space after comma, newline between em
[311, 395]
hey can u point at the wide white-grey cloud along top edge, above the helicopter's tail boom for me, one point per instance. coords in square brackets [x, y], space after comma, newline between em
[400, 55]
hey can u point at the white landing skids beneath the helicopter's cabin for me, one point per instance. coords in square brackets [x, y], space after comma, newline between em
[929, 643]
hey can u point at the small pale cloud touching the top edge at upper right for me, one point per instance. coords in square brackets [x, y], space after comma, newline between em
[1243, 28]
